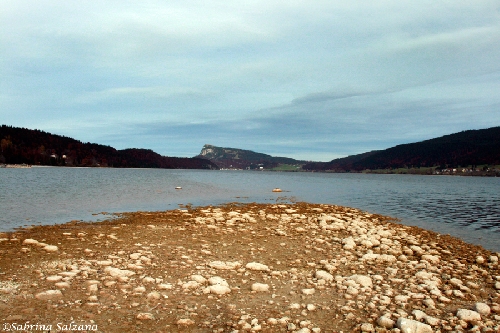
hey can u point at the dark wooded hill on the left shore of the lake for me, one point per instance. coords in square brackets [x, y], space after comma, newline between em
[35, 147]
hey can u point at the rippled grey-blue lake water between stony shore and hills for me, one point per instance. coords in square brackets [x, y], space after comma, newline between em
[465, 207]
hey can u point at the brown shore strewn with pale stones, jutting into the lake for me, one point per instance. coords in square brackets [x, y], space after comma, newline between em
[246, 268]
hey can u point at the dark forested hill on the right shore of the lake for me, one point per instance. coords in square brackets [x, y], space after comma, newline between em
[467, 148]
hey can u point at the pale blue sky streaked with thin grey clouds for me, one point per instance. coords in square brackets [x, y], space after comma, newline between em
[312, 80]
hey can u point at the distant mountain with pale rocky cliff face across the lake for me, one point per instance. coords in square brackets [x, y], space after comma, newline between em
[233, 158]
